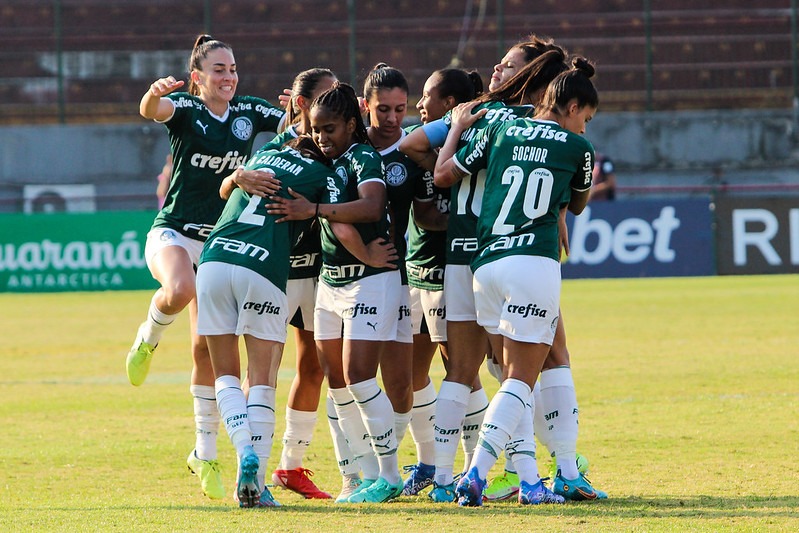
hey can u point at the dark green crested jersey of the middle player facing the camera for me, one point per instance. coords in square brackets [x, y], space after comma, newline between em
[405, 182]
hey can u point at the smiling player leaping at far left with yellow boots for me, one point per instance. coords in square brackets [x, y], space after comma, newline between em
[211, 132]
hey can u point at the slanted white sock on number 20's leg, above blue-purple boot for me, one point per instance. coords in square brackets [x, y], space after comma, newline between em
[503, 416]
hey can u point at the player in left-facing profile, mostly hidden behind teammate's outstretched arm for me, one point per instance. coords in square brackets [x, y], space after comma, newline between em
[426, 260]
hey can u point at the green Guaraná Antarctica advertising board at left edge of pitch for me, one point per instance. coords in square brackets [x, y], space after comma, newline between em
[74, 252]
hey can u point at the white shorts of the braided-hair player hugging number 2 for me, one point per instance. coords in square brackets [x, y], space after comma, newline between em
[362, 310]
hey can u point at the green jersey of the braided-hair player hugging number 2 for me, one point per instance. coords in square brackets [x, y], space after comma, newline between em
[358, 165]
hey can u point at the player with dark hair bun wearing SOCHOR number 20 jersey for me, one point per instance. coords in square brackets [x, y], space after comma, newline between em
[533, 167]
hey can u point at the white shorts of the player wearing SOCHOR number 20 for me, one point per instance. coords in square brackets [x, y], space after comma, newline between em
[519, 297]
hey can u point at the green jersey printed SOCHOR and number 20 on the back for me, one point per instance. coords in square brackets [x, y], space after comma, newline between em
[531, 168]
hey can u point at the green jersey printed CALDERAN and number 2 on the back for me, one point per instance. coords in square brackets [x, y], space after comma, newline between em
[248, 236]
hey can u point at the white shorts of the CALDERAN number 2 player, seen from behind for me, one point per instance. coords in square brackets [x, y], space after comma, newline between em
[235, 300]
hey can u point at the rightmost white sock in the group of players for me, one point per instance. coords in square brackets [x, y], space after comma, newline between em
[560, 406]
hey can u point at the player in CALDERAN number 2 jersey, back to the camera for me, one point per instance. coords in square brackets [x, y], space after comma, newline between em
[241, 290]
